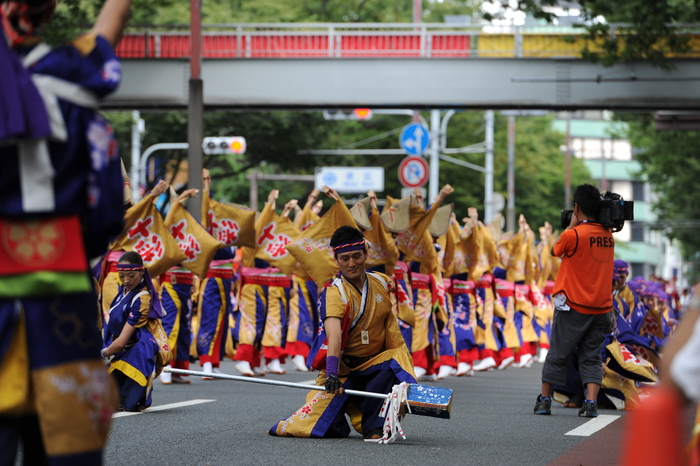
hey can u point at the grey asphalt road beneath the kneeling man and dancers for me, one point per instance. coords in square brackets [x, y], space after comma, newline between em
[491, 424]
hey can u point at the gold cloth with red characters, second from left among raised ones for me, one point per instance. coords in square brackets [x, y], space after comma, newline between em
[194, 241]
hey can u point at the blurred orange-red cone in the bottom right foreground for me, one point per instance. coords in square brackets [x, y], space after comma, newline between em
[654, 432]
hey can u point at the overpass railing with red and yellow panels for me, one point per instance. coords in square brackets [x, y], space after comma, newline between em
[365, 40]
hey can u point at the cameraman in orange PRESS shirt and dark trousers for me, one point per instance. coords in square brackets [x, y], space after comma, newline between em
[582, 301]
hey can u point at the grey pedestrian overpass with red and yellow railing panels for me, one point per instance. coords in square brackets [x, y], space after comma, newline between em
[417, 66]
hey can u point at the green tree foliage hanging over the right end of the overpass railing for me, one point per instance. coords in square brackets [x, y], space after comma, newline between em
[626, 30]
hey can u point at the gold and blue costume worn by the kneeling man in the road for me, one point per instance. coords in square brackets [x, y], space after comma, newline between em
[375, 365]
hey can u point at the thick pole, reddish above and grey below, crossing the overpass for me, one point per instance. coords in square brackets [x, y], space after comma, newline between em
[195, 109]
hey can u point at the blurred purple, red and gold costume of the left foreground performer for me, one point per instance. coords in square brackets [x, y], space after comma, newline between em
[59, 206]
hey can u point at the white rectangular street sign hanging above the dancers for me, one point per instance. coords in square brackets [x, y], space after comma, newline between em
[350, 179]
